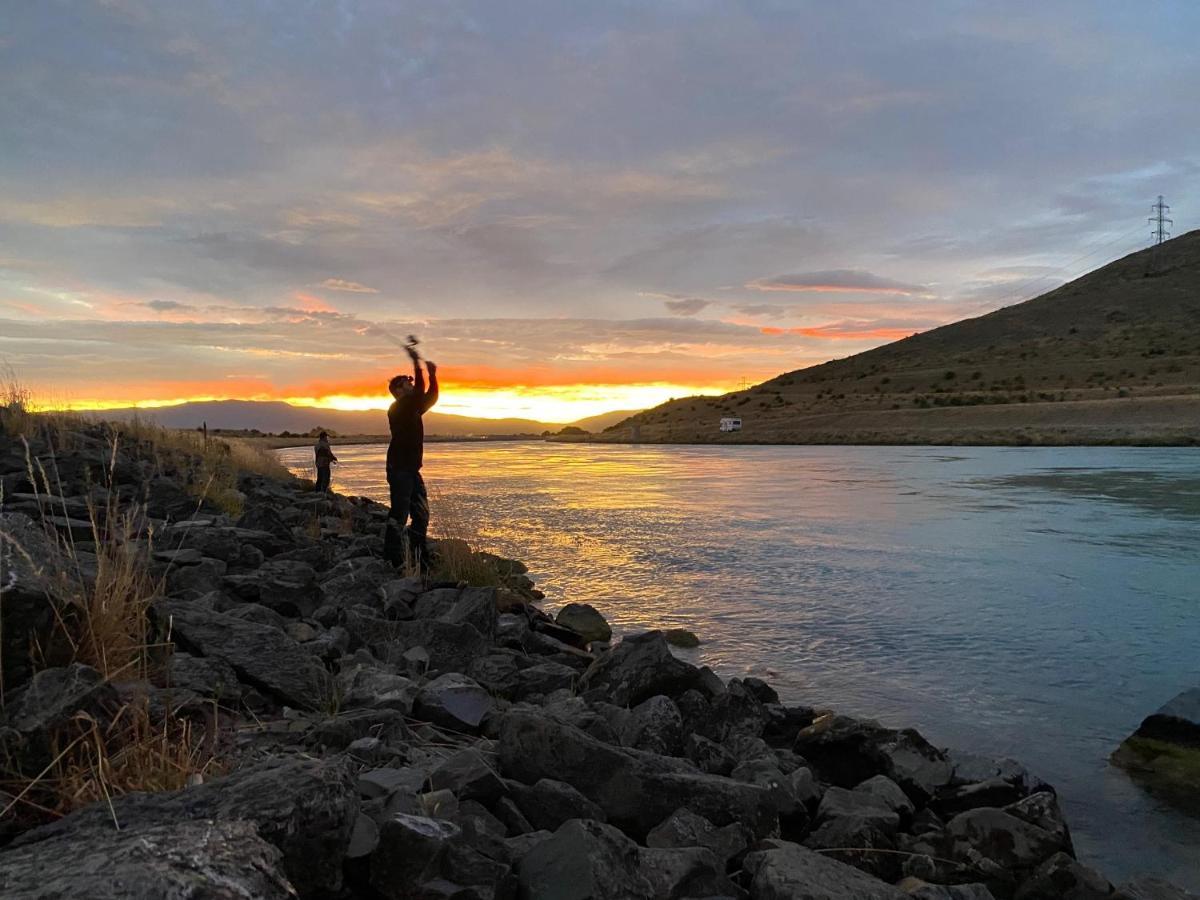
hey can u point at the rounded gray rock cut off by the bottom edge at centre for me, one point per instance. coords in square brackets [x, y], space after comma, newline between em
[584, 861]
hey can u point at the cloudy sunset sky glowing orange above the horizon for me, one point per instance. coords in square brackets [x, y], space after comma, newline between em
[578, 207]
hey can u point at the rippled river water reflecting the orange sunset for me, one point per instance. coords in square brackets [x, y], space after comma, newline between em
[1034, 603]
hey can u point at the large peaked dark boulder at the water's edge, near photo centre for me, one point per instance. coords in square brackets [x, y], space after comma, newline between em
[637, 670]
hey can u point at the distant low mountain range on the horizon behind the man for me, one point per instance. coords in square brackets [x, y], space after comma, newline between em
[275, 417]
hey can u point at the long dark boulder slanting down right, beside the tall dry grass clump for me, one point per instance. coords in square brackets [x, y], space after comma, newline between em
[262, 657]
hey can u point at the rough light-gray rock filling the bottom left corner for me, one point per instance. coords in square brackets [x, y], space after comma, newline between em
[221, 860]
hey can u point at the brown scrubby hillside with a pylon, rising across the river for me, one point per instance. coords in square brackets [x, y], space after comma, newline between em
[1111, 358]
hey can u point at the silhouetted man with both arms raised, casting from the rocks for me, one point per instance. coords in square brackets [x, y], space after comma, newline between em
[405, 458]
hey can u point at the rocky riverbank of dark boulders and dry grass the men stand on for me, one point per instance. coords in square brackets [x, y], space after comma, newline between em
[338, 729]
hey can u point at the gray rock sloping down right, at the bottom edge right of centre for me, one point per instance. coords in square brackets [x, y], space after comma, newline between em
[789, 872]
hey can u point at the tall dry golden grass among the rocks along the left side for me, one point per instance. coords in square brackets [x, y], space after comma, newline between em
[101, 619]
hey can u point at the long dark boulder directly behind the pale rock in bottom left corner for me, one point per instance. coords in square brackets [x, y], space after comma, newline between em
[305, 808]
